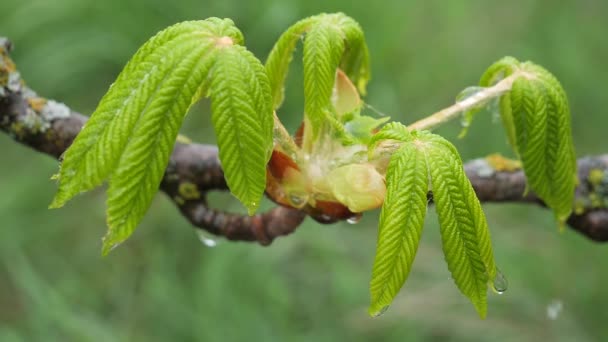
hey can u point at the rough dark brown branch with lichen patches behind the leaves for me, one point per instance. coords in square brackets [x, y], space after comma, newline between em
[49, 127]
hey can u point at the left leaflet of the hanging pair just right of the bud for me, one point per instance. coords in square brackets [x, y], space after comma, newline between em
[401, 222]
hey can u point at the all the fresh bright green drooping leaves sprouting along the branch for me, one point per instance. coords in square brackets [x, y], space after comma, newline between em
[129, 138]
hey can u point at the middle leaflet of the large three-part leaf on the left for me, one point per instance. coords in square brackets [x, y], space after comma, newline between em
[137, 175]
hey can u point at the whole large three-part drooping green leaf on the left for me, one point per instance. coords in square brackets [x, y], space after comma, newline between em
[132, 132]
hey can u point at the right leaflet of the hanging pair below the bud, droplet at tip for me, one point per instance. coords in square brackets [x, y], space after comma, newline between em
[464, 230]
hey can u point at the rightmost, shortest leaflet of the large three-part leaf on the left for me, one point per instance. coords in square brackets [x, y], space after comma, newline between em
[242, 117]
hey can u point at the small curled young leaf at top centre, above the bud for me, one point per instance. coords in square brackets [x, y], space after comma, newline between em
[331, 41]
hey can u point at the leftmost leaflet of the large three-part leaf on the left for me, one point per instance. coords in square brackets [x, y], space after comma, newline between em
[98, 147]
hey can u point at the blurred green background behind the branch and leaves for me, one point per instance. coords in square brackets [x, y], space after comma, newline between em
[164, 285]
